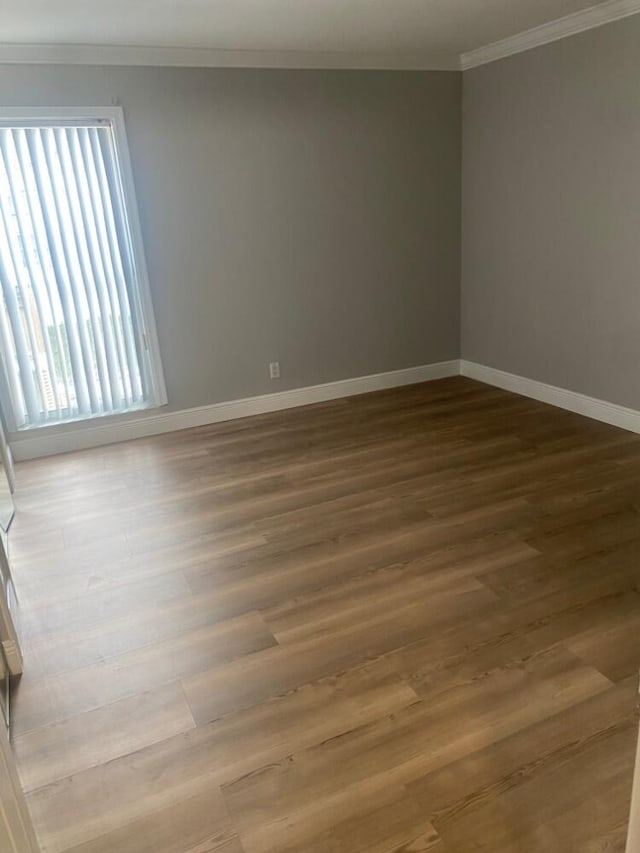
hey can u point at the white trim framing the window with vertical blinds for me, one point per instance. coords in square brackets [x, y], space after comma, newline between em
[144, 306]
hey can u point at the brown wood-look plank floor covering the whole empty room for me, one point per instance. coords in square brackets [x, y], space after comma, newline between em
[397, 623]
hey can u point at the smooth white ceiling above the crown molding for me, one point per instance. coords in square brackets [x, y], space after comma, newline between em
[437, 29]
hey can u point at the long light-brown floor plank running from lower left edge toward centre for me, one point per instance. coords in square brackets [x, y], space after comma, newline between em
[201, 760]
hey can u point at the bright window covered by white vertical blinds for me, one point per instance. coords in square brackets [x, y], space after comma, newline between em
[77, 338]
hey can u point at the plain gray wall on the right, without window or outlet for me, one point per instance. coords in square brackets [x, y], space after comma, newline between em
[551, 213]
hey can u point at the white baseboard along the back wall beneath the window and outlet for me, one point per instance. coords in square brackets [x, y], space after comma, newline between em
[47, 441]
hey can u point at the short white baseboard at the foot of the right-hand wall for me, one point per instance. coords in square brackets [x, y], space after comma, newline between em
[591, 407]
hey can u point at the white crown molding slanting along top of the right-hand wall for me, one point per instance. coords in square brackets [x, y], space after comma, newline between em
[578, 22]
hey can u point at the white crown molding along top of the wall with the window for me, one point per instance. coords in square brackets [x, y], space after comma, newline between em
[84, 54]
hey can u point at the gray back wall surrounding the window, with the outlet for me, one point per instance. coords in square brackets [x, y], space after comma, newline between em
[307, 217]
